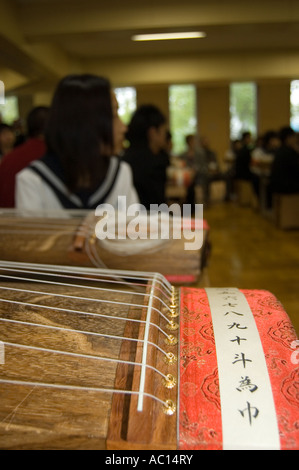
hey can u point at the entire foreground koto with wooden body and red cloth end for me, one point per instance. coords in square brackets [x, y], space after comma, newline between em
[94, 359]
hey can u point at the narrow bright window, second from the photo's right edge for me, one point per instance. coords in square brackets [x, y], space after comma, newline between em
[242, 109]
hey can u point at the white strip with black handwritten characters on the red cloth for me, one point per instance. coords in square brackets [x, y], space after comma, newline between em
[247, 407]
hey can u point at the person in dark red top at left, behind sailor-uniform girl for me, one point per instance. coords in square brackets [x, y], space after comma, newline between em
[22, 155]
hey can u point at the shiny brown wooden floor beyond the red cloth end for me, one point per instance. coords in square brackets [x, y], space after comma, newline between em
[247, 251]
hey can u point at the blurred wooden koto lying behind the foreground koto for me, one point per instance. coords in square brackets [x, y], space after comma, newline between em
[72, 240]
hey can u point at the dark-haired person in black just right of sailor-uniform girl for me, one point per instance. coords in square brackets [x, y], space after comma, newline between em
[147, 137]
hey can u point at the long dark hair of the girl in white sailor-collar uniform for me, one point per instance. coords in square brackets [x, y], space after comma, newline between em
[79, 129]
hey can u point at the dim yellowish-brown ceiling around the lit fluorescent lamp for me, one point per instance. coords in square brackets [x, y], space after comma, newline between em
[42, 40]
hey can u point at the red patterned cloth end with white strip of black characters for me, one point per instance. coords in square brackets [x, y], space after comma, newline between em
[238, 384]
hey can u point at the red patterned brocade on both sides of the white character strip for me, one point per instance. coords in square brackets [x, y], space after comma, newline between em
[200, 410]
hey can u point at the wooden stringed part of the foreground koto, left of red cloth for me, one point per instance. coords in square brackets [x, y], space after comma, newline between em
[74, 347]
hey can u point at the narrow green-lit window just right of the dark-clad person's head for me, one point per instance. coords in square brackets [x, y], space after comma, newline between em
[182, 115]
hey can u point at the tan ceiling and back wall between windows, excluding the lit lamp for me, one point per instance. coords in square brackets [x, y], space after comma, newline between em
[41, 41]
